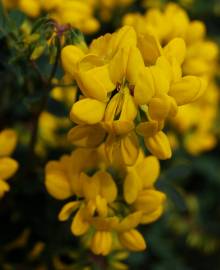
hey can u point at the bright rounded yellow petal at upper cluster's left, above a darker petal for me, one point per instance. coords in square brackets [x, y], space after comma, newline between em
[87, 111]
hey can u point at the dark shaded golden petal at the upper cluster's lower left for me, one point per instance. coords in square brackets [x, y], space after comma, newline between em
[86, 135]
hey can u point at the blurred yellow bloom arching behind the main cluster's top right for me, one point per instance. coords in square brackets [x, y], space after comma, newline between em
[172, 22]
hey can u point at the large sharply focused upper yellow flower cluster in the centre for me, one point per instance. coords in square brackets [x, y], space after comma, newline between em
[130, 85]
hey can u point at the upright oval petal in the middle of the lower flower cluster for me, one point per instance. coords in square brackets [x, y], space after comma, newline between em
[108, 188]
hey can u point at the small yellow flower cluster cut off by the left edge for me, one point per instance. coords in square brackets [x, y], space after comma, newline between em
[8, 166]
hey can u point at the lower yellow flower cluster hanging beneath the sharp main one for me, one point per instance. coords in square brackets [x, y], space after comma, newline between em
[106, 201]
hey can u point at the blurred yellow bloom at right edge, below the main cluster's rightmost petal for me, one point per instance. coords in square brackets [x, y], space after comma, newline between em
[197, 121]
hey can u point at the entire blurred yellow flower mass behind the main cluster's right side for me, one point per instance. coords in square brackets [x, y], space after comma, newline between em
[200, 60]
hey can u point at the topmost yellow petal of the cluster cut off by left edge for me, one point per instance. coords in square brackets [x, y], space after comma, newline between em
[8, 140]
